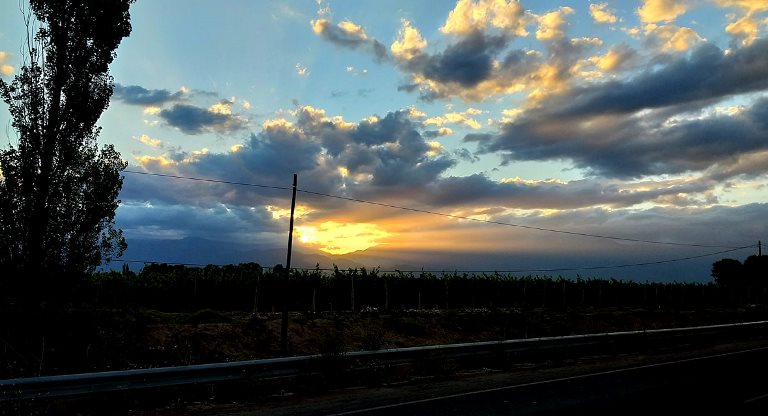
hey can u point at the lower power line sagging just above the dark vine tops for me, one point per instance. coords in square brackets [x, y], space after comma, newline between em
[561, 269]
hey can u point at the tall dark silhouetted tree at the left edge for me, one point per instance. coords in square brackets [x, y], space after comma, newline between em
[58, 190]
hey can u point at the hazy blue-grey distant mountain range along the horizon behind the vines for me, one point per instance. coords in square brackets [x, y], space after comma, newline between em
[198, 251]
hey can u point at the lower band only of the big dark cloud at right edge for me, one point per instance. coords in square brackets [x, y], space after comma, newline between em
[632, 145]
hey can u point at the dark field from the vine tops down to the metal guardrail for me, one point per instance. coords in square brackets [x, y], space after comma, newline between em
[170, 315]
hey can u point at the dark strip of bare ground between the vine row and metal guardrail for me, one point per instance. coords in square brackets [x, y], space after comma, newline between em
[86, 339]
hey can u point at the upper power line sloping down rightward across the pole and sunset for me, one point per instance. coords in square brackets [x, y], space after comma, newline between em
[442, 214]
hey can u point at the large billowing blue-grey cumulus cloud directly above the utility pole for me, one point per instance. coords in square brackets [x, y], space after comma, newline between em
[380, 156]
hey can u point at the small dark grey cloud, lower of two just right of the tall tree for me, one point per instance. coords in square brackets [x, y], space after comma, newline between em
[191, 119]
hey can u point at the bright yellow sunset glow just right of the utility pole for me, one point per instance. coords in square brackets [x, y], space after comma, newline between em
[340, 238]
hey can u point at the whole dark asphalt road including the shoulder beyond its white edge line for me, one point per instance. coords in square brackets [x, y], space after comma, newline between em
[731, 382]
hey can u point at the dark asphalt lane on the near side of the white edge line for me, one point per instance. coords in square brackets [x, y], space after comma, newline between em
[731, 383]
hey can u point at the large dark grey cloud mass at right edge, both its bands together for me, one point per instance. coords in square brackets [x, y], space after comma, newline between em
[599, 128]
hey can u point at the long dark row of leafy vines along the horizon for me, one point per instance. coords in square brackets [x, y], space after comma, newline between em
[249, 287]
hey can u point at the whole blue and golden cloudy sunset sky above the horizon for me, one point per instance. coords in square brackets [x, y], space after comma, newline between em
[461, 135]
